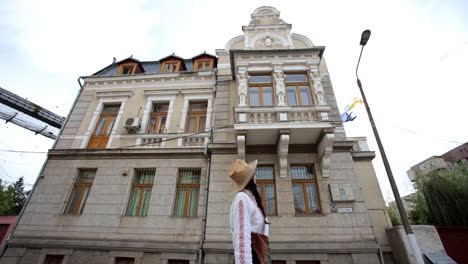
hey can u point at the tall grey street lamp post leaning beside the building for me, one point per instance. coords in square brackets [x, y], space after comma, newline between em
[409, 231]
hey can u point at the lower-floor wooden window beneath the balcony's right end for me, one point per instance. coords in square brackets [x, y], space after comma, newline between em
[305, 189]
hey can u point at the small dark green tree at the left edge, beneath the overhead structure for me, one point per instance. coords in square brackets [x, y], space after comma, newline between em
[12, 197]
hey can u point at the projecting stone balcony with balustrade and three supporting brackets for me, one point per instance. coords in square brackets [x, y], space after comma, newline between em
[284, 126]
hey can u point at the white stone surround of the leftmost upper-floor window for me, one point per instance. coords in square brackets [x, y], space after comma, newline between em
[106, 98]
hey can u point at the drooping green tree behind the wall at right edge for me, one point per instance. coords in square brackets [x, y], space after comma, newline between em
[442, 198]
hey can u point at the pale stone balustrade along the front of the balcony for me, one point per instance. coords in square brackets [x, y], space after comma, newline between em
[268, 115]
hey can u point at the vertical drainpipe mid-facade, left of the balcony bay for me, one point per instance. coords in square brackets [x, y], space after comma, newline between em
[201, 252]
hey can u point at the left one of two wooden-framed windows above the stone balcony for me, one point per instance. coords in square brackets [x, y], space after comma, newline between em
[261, 90]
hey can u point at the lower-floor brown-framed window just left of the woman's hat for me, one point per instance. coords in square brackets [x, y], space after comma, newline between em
[188, 189]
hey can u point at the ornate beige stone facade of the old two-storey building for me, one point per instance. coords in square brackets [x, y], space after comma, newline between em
[278, 135]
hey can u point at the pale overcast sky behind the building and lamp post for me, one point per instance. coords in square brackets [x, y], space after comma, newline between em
[413, 68]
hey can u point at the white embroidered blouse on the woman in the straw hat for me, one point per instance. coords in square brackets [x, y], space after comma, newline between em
[245, 217]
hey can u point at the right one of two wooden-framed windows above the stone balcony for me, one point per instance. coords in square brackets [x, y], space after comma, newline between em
[298, 89]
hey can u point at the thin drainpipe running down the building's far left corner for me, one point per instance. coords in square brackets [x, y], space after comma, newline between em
[3, 250]
